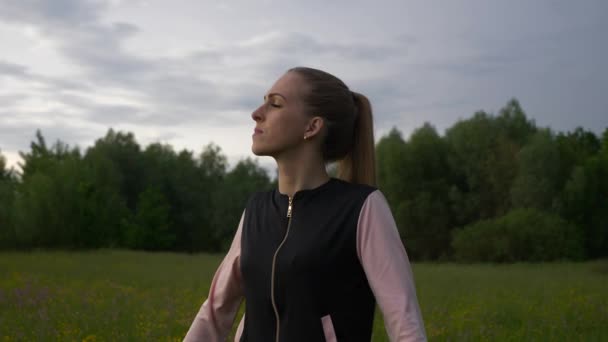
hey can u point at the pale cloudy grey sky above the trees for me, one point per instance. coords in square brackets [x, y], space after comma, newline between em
[188, 73]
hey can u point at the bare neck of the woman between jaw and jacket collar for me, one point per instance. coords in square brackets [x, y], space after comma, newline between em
[300, 172]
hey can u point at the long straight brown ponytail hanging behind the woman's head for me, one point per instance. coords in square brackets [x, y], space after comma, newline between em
[359, 165]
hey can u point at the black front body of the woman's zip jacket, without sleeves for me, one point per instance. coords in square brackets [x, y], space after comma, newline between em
[317, 270]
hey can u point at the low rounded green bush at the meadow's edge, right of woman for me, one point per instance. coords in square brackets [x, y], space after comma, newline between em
[520, 235]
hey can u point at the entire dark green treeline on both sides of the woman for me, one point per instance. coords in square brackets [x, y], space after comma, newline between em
[492, 188]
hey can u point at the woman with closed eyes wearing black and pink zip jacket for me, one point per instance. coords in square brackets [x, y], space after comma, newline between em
[313, 257]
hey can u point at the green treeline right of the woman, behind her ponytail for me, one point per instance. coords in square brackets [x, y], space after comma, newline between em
[498, 188]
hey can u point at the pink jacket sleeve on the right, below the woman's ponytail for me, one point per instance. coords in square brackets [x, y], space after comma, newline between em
[388, 270]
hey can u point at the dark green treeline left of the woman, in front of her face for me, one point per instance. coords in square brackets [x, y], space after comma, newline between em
[120, 195]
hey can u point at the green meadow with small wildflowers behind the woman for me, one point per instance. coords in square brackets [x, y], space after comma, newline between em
[131, 296]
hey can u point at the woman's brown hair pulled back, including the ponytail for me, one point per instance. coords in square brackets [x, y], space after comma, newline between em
[349, 140]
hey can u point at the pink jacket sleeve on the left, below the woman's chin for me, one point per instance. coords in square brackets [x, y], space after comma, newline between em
[215, 317]
